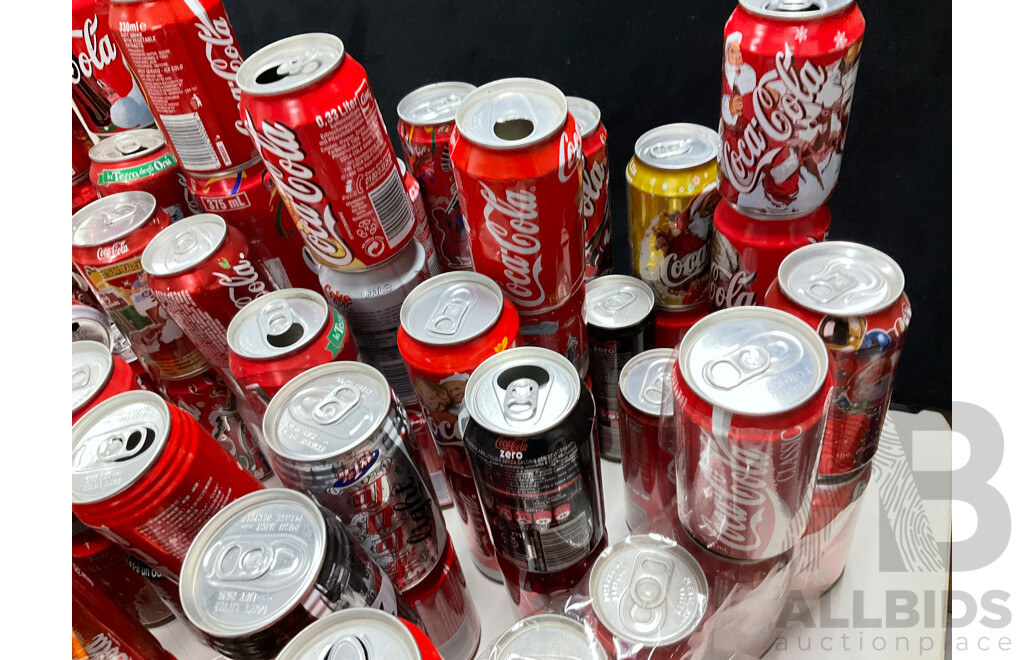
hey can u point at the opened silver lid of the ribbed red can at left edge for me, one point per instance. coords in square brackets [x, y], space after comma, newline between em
[115, 444]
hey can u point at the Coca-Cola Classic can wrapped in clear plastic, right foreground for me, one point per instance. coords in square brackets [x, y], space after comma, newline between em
[750, 389]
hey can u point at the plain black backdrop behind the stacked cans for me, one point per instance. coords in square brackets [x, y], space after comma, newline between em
[654, 63]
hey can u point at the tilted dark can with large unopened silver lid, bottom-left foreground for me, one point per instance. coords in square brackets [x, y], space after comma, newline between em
[289, 554]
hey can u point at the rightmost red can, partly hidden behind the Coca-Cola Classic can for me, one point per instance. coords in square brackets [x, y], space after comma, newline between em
[854, 297]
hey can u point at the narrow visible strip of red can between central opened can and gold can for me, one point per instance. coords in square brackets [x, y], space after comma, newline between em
[596, 210]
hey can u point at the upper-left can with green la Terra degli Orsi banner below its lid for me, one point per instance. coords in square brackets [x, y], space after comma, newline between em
[140, 160]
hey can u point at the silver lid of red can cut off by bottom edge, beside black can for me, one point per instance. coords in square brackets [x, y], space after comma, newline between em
[356, 634]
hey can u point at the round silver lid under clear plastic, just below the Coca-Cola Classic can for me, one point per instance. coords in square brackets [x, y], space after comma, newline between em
[648, 590]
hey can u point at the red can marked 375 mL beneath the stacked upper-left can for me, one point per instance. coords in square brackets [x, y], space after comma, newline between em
[248, 200]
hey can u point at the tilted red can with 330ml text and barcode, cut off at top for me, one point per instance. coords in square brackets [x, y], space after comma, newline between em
[187, 56]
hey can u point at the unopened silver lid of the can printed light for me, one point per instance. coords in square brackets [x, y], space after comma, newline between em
[327, 412]
